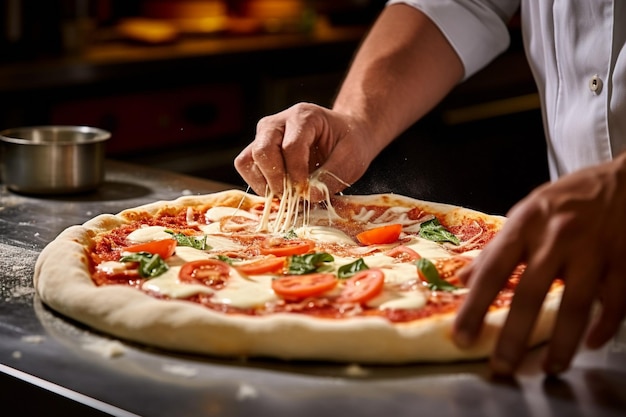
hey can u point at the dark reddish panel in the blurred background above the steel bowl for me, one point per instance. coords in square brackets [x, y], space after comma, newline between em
[161, 119]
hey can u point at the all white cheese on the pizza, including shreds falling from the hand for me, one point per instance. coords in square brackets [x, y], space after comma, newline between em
[294, 213]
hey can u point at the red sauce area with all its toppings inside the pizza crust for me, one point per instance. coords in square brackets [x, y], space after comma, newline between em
[364, 259]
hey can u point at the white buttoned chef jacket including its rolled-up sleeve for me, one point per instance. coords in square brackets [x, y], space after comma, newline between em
[577, 52]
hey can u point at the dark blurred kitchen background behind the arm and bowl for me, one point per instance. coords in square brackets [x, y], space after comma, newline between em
[182, 83]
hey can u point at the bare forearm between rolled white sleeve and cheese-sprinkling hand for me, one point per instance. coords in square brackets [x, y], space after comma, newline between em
[403, 69]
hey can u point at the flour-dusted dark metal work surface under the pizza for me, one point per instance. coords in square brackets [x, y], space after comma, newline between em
[64, 368]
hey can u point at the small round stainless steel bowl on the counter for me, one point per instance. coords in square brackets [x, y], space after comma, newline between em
[53, 159]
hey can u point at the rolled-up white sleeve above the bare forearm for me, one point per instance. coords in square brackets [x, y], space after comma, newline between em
[476, 29]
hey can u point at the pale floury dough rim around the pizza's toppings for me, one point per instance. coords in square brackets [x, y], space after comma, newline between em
[63, 282]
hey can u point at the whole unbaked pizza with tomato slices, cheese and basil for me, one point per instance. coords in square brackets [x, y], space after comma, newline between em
[354, 278]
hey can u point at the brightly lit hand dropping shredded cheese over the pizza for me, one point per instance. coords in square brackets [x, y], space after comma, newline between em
[301, 140]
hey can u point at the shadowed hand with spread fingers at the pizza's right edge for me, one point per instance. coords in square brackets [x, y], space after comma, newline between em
[574, 229]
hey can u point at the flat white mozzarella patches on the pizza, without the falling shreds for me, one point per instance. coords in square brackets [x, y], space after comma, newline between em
[255, 291]
